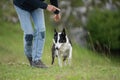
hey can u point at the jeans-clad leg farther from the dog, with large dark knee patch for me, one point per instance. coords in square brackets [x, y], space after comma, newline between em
[26, 25]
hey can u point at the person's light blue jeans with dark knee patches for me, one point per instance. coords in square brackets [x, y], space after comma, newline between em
[32, 47]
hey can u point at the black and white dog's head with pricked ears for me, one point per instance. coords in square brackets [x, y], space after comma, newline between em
[59, 38]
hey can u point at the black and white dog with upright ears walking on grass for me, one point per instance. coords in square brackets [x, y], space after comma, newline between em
[62, 48]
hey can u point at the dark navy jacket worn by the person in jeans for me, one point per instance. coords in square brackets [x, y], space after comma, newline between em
[31, 5]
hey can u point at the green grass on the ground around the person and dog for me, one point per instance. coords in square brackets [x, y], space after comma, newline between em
[86, 65]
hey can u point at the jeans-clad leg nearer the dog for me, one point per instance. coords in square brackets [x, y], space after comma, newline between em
[39, 35]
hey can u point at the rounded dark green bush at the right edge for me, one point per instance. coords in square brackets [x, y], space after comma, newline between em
[104, 28]
